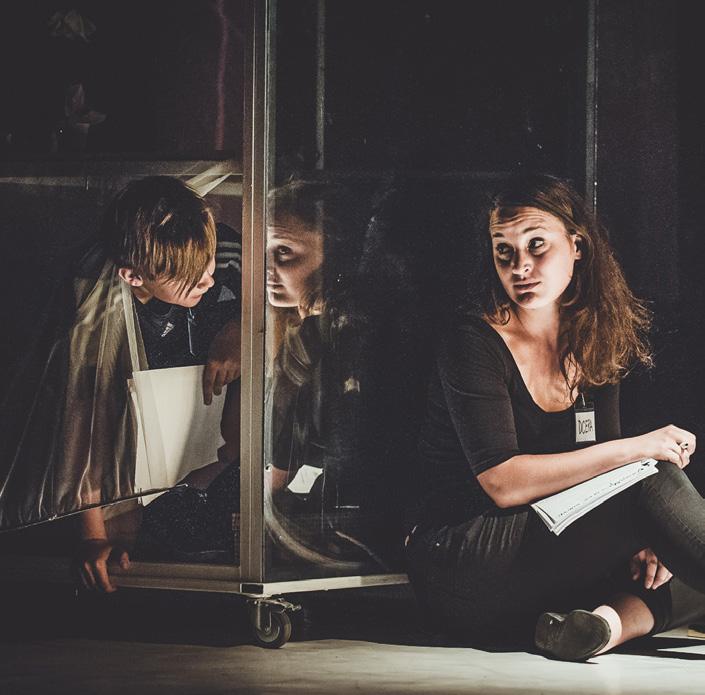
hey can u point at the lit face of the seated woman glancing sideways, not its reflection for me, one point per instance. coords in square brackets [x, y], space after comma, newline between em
[534, 256]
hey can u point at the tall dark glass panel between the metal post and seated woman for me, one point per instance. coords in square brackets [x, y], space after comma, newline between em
[387, 120]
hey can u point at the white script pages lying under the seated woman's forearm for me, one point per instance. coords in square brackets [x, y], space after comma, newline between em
[560, 510]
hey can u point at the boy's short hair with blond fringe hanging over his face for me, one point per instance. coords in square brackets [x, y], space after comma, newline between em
[162, 229]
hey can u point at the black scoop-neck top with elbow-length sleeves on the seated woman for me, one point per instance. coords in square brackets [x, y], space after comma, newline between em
[480, 414]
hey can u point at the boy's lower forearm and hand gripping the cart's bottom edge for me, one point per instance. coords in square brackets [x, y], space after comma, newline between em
[94, 552]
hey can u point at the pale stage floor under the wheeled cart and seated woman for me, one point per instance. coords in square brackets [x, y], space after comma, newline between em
[139, 643]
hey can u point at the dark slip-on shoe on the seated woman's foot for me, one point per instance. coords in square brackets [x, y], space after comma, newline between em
[574, 636]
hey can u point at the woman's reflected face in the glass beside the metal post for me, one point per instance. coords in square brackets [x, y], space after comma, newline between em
[294, 254]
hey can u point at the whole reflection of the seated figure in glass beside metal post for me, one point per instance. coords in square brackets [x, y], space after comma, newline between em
[316, 454]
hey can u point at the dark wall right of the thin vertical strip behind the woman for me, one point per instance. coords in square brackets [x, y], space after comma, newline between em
[651, 171]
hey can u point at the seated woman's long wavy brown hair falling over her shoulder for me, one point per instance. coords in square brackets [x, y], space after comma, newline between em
[604, 327]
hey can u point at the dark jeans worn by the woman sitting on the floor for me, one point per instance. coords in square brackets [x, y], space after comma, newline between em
[488, 579]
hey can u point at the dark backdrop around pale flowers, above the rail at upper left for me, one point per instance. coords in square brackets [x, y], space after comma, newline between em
[167, 76]
